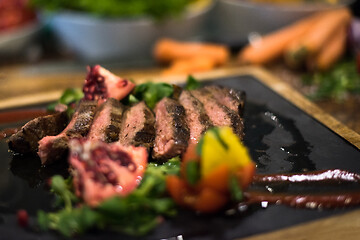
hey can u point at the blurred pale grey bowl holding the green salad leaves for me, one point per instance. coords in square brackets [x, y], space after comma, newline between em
[100, 39]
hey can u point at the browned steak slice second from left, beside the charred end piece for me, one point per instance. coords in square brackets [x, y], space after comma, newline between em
[54, 148]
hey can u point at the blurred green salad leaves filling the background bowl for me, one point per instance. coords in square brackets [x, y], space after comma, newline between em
[158, 9]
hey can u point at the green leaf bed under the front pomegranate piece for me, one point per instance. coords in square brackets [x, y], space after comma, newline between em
[135, 214]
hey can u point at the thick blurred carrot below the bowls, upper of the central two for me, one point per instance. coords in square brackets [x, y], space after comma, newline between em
[167, 50]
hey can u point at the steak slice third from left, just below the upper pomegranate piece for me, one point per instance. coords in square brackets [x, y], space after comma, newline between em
[107, 121]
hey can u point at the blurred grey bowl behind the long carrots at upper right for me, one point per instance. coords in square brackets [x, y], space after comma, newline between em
[234, 20]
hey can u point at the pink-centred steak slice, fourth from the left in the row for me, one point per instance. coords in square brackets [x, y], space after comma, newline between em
[138, 126]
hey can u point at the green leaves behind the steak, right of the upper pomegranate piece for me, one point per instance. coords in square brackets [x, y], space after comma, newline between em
[151, 92]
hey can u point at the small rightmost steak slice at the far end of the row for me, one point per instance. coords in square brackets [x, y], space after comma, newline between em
[231, 98]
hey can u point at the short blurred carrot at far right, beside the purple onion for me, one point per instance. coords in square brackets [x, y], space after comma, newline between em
[331, 51]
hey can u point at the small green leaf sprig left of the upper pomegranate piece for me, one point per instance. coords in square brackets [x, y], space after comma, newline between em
[69, 98]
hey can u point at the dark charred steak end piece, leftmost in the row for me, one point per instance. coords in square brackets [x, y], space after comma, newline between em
[26, 140]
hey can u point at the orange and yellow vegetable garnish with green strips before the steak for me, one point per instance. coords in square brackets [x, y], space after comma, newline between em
[212, 172]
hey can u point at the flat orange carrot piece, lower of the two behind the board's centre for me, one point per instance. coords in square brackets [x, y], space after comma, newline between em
[191, 65]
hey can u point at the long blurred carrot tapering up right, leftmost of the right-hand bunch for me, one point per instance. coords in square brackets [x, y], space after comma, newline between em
[272, 45]
